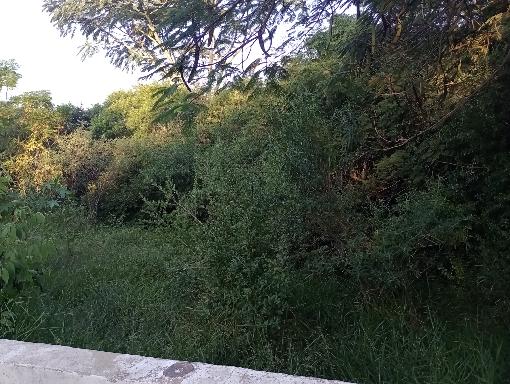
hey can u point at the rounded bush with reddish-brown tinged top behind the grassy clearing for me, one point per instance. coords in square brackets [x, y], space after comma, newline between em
[115, 178]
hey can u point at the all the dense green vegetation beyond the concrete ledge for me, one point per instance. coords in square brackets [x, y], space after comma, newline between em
[344, 213]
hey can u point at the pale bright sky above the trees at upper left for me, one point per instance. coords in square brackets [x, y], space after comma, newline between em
[50, 62]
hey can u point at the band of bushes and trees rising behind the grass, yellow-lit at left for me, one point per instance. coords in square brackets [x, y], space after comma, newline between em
[353, 172]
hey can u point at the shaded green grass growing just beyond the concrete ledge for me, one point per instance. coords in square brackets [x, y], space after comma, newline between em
[126, 289]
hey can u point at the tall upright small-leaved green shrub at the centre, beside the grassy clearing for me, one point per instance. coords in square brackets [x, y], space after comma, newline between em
[254, 218]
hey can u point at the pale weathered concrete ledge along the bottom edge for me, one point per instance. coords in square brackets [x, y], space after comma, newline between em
[28, 363]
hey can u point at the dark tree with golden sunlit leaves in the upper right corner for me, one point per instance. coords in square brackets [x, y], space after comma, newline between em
[427, 60]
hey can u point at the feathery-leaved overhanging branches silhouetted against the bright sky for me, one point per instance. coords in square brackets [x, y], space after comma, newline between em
[189, 39]
